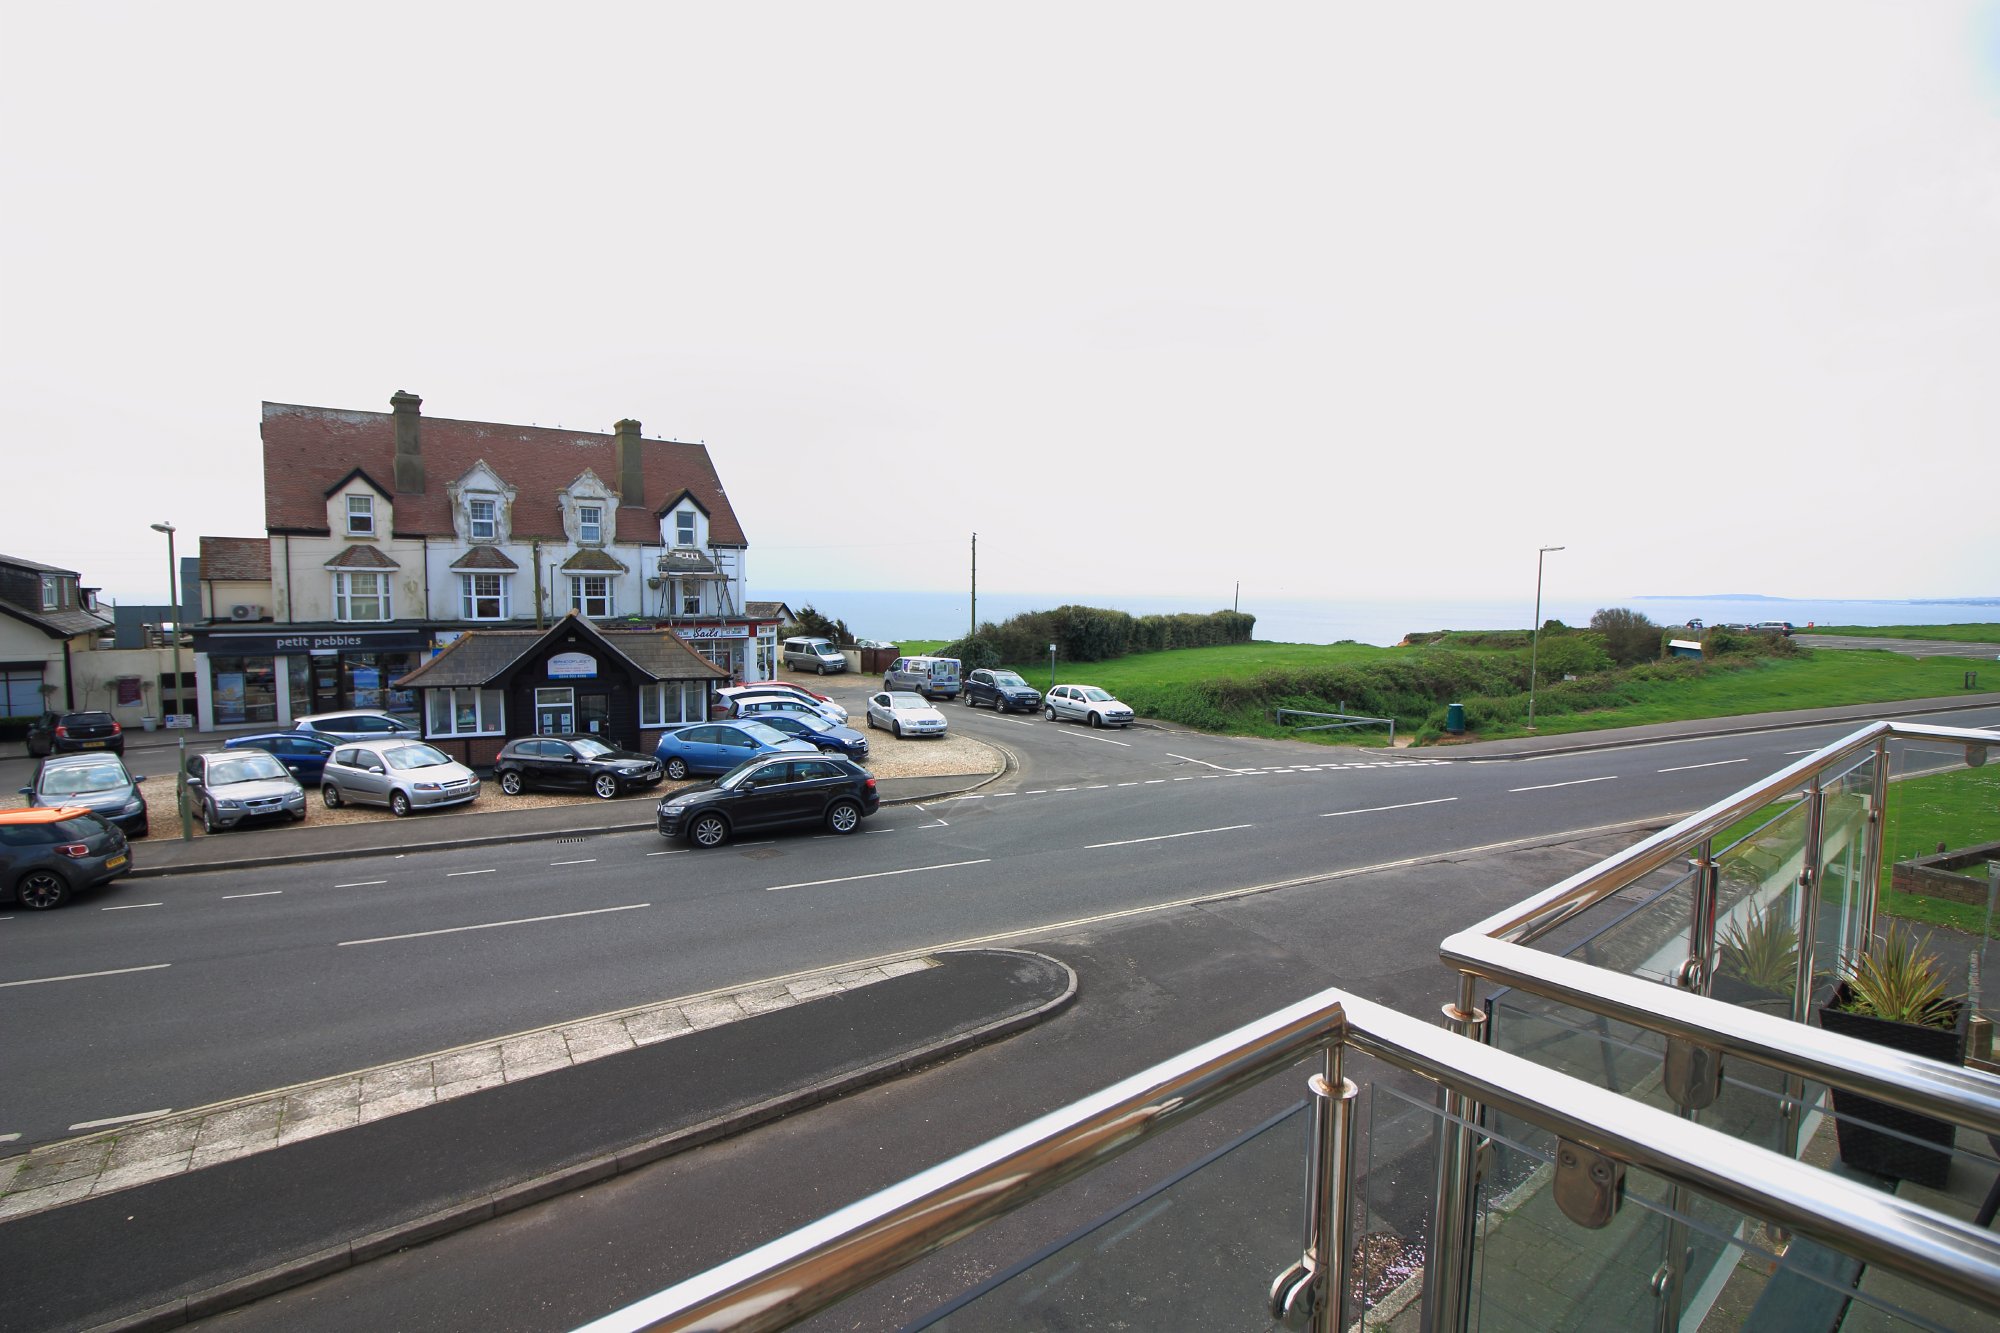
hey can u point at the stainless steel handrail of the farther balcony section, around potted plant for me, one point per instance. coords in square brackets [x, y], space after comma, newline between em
[1497, 952]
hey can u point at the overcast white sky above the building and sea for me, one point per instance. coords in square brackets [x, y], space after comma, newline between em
[1339, 301]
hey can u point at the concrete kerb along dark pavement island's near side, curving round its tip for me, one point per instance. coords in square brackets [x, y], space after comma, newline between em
[469, 1214]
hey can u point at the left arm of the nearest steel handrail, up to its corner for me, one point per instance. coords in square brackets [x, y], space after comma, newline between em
[809, 1270]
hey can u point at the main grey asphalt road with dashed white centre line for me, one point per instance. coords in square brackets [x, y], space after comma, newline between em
[189, 990]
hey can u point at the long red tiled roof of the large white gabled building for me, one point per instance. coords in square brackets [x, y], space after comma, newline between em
[307, 451]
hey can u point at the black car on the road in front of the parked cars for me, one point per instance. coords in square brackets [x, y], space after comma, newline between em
[773, 792]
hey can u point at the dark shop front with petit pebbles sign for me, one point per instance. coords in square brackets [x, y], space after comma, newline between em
[265, 680]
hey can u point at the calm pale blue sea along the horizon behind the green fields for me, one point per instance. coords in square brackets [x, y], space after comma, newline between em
[947, 615]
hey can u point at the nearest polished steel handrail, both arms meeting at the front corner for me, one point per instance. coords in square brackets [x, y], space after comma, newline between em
[813, 1268]
